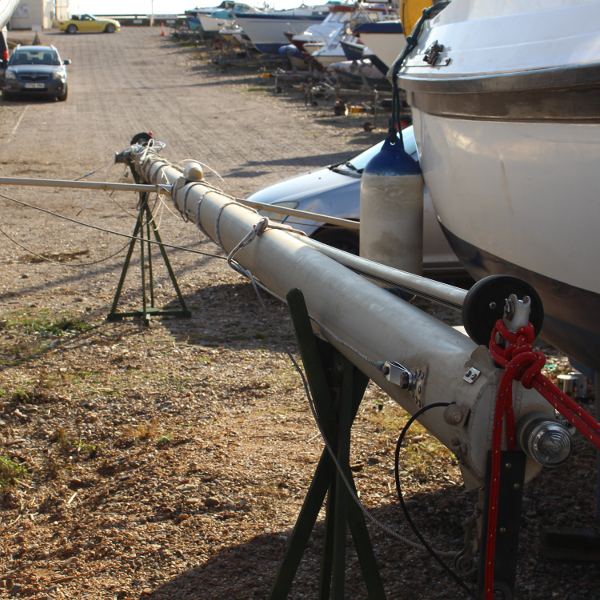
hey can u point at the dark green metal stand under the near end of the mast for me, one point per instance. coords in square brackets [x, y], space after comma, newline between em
[337, 388]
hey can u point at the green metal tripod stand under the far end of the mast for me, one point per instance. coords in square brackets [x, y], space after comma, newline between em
[145, 226]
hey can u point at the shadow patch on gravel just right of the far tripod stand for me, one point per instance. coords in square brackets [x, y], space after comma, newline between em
[230, 316]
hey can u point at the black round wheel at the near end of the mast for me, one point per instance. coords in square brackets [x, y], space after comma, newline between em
[484, 305]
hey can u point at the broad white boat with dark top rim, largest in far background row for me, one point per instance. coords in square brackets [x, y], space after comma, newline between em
[267, 30]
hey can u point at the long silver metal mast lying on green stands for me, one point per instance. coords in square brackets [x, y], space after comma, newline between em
[412, 356]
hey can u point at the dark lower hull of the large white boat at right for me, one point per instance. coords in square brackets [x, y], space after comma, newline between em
[571, 313]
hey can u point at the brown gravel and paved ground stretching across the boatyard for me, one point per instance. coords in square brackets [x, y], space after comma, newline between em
[170, 461]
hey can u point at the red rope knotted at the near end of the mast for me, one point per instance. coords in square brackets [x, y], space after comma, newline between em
[514, 352]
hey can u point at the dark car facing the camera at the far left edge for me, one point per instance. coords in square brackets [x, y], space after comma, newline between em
[35, 70]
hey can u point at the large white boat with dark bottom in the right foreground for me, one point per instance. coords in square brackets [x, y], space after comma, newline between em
[506, 108]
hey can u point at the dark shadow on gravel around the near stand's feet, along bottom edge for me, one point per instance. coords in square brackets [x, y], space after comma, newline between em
[247, 571]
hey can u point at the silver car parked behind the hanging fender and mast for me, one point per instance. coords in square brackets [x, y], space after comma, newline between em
[335, 191]
